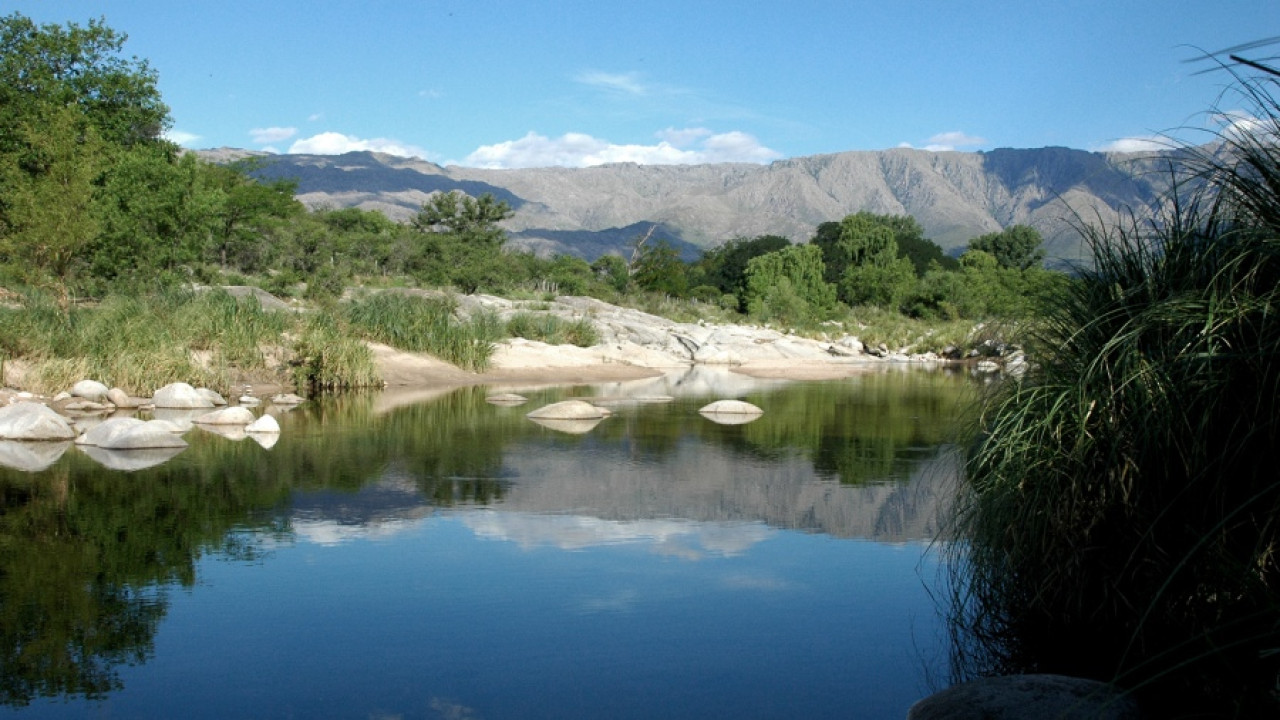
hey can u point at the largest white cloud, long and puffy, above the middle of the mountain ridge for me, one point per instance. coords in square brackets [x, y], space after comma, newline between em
[580, 151]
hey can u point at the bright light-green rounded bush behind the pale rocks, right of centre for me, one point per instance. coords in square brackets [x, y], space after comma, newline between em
[789, 286]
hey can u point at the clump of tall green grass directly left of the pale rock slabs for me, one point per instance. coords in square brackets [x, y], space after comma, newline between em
[426, 325]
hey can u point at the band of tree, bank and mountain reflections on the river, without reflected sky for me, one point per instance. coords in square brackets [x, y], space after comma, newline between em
[90, 554]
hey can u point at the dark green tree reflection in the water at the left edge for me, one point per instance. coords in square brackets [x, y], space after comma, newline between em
[85, 560]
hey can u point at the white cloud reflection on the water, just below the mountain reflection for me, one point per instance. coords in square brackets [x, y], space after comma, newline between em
[676, 539]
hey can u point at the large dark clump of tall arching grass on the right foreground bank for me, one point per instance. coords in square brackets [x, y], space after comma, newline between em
[1122, 504]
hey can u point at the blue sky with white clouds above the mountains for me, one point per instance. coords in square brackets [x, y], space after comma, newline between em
[529, 84]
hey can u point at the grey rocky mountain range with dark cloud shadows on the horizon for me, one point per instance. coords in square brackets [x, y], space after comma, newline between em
[589, 212]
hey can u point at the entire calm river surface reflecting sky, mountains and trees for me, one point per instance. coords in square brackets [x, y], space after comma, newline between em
[433, 555]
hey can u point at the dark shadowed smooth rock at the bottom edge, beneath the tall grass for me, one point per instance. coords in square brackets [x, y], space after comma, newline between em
[1028, 698]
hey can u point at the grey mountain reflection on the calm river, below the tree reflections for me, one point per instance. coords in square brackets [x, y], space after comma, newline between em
[707, 484]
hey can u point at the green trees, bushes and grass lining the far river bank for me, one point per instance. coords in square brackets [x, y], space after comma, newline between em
[99, 212]
